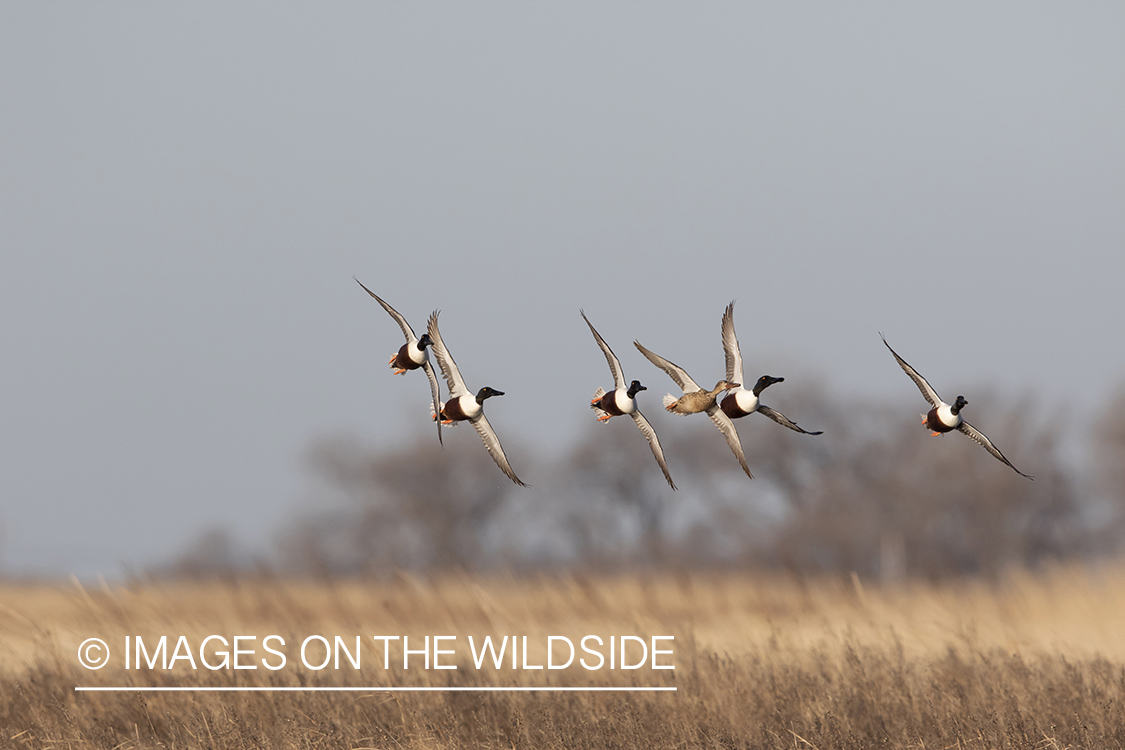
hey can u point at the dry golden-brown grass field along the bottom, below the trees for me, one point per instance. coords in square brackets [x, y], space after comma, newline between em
[761, 662]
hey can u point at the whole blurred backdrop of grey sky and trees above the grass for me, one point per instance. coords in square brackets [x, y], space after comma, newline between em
[193, 384]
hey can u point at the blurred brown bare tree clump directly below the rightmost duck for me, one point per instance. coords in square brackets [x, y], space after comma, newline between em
[894, 498]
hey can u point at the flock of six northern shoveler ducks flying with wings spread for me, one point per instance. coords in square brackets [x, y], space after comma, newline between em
[731, 400]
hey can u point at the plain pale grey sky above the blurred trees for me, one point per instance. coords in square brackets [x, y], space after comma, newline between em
[187, 189]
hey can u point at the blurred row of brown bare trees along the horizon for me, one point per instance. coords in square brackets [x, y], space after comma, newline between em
[875, 495]
